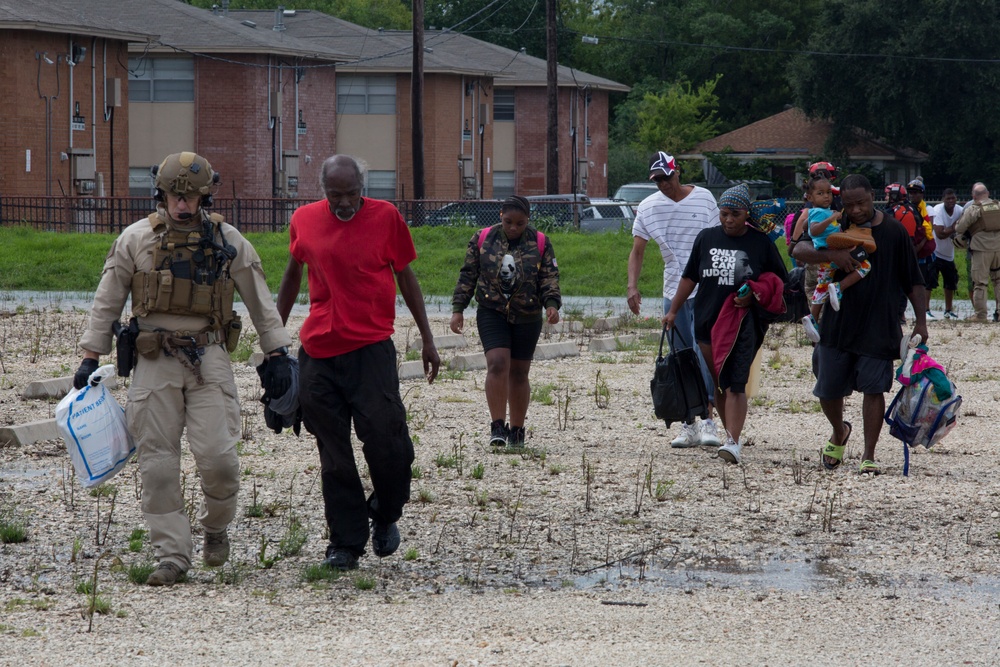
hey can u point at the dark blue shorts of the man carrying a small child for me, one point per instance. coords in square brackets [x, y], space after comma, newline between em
[839, 374]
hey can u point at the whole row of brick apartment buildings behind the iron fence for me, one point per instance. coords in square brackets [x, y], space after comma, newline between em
[266, 99]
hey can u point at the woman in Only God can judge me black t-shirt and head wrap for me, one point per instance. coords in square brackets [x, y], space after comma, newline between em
[730, 323]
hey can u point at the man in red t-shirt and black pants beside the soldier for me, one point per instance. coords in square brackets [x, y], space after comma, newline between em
[357, 250]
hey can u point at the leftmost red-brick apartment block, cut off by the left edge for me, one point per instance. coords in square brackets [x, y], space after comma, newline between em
[63, 105]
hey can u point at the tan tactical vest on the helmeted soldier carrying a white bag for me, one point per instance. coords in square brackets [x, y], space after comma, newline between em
[190, 275]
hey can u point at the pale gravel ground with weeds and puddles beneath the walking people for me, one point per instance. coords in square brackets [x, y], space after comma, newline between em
[597, 544]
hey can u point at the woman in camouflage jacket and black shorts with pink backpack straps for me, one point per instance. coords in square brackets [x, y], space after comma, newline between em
[511, 270]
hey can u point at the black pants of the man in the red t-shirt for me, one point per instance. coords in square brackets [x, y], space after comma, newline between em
[362, 385]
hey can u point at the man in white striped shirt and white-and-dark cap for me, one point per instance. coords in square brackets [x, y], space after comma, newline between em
[672, 218]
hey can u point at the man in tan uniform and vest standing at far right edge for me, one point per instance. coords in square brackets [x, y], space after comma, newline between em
[981, 222]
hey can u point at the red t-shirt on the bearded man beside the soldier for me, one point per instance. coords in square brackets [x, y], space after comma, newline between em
[351, 271]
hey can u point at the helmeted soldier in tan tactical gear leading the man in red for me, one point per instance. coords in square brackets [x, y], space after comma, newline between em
[181, 266]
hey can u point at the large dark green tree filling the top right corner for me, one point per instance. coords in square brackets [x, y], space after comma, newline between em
[877, 76]
